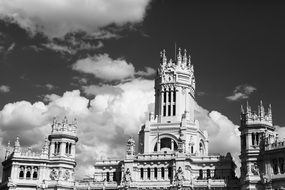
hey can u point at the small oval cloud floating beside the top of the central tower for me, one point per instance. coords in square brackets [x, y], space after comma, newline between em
[108, 69]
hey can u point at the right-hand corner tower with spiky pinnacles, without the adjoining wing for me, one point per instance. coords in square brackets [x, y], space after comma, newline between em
[253, 127]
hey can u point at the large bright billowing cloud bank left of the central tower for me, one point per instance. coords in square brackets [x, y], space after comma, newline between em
[116, 115]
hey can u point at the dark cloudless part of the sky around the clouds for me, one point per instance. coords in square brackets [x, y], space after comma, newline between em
[231, 42]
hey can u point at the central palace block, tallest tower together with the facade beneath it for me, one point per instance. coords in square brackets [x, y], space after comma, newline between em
[172, 149]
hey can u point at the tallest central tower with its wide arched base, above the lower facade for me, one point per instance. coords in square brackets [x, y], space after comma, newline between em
[172, 127]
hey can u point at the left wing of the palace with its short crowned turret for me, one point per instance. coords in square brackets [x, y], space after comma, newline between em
[52, 168]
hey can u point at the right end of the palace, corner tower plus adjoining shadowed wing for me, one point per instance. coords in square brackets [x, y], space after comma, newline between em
[262, 152]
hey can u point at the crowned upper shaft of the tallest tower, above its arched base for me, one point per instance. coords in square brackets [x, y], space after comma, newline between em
[175, 89]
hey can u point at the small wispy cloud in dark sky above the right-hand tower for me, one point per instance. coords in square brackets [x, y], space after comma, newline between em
[241, 92]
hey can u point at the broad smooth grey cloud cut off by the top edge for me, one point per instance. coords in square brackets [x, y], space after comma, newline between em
[56, 18]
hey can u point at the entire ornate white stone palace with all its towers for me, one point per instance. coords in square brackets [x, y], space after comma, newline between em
[171, 153]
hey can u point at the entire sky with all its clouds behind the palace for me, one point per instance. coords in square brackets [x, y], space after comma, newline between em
[96, 61]
